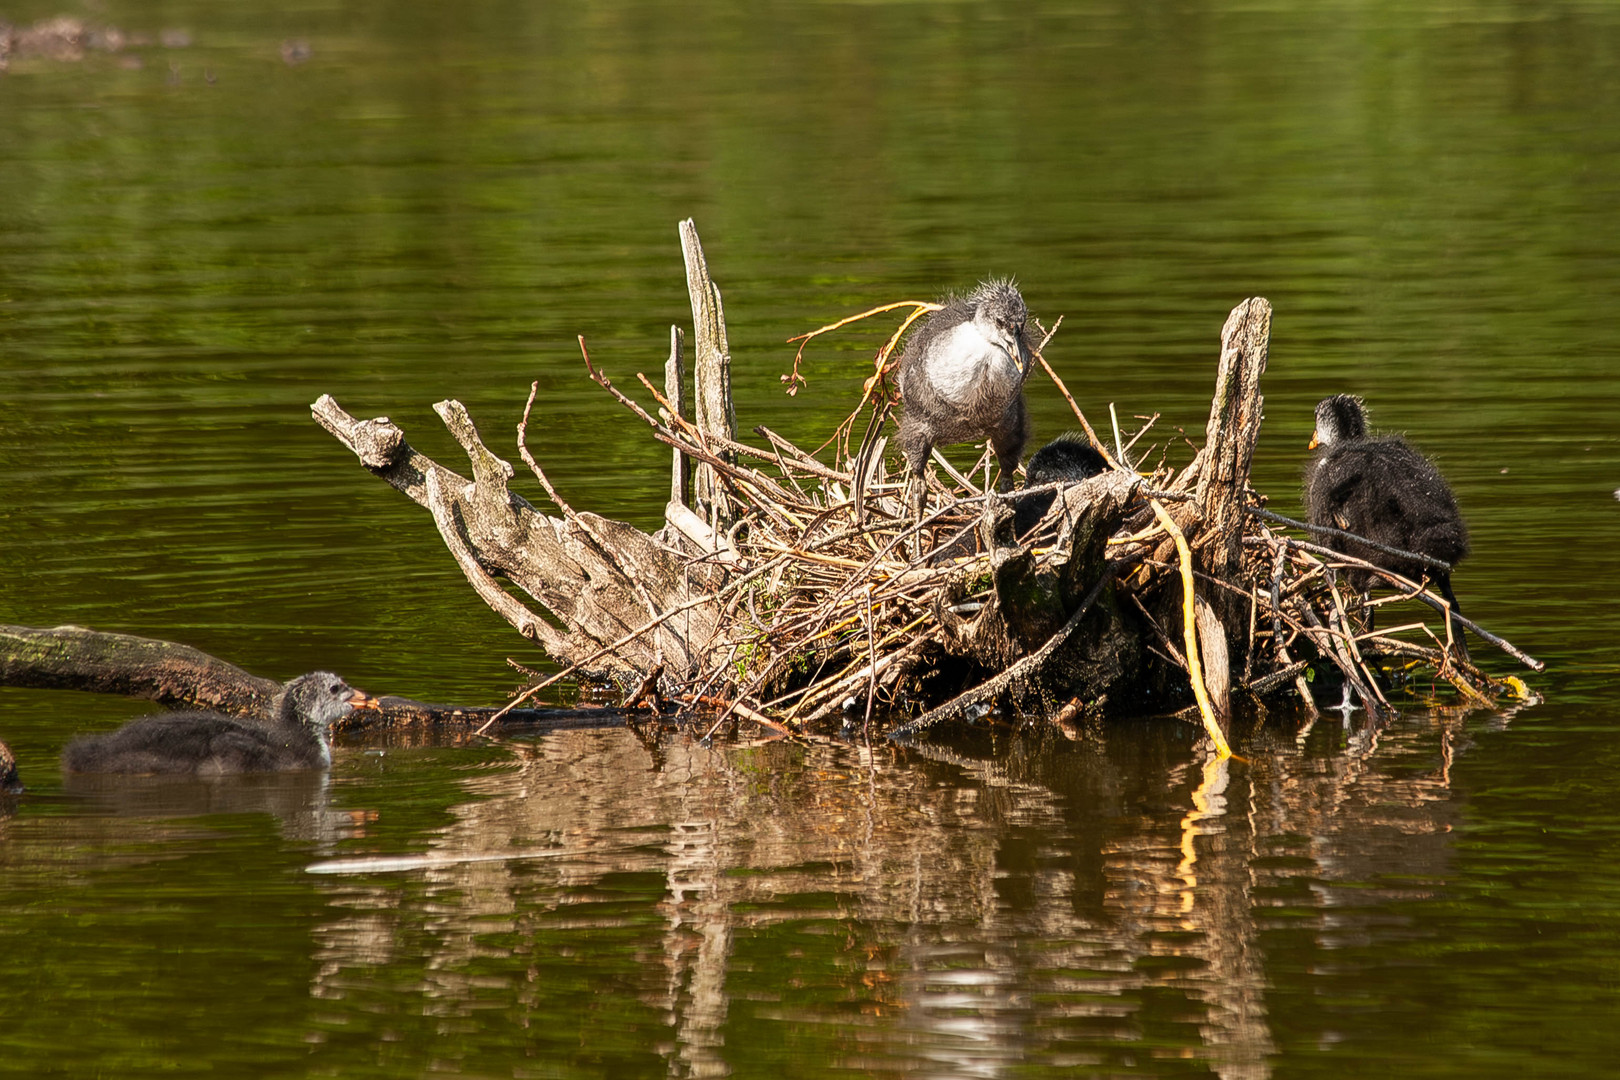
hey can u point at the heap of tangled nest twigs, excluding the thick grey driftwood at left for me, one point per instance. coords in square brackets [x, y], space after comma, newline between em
[832, 605]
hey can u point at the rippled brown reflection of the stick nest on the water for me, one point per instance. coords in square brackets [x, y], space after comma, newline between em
[950, 912]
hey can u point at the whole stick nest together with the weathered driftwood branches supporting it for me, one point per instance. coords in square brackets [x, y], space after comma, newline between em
[798, 590]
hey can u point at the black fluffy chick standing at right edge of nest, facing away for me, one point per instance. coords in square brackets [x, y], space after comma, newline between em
[1386, 491]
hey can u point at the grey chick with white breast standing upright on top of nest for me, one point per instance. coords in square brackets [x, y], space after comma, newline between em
[963, 380]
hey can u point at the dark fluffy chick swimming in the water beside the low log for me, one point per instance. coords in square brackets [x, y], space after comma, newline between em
[211, 744]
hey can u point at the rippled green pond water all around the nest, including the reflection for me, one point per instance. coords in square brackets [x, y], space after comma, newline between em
[443, 197]
